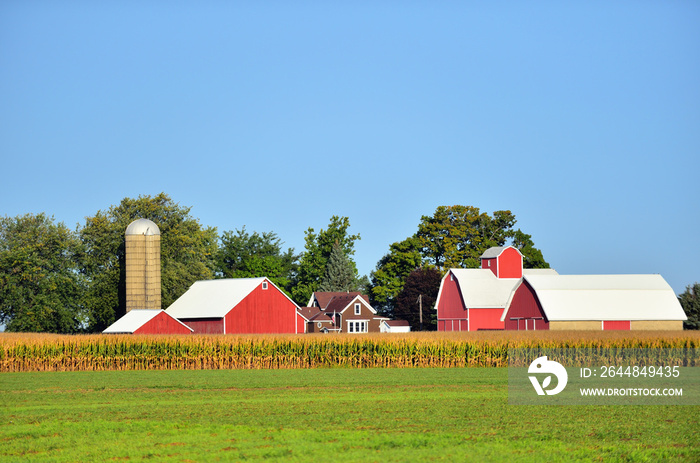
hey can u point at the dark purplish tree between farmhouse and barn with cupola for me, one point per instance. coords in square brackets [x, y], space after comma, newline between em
[419, 290]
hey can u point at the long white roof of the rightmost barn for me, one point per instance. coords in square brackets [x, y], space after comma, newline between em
[605, 297]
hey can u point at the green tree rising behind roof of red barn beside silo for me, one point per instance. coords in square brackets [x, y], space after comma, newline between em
[245, 255]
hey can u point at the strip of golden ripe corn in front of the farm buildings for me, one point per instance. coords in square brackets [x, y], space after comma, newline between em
[46, 352]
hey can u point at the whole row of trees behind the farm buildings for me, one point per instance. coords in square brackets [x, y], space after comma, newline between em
[54, 279]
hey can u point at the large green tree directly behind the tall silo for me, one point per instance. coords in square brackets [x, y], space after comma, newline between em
[188, 254]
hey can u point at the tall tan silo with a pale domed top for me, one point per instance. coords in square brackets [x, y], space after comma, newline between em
[142, 265]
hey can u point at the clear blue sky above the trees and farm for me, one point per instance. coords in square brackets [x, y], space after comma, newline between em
[582, 118]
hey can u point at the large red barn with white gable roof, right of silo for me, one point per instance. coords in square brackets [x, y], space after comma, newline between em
[237, 305]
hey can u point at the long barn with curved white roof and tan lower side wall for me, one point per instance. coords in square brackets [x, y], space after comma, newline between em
[593, 302]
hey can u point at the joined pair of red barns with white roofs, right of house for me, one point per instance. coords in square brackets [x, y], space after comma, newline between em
[502, 295]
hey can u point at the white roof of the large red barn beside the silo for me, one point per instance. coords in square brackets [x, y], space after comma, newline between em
[215, 298]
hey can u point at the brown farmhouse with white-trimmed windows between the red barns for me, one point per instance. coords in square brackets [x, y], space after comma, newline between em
[341, 312]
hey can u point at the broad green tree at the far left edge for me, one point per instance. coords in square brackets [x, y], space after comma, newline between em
[40, 285]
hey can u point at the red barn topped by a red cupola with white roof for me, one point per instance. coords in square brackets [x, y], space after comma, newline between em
[474, 299]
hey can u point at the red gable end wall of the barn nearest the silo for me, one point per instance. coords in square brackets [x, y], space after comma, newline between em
[263, 311]
